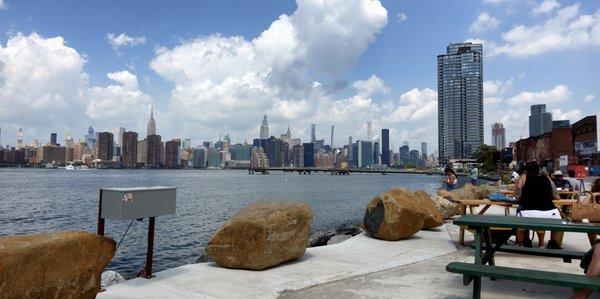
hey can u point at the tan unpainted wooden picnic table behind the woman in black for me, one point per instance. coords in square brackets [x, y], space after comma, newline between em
[486, 203]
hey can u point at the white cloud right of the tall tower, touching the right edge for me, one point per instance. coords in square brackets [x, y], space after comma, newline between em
[567, 29]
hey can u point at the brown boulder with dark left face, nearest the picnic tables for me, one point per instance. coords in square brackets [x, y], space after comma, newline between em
[392, 217]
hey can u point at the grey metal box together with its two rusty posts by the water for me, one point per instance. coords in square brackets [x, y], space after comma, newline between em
[136, 203]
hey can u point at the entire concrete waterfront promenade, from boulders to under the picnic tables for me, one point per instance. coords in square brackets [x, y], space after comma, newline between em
[359, 267]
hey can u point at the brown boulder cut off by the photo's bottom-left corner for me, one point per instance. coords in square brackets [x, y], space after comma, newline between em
[64, 264]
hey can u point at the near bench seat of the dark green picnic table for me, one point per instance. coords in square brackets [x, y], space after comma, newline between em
[576, 281]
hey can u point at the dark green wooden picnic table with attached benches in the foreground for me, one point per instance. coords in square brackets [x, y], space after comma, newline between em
[484, 265]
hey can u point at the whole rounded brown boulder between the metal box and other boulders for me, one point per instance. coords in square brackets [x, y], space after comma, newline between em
[262, 235]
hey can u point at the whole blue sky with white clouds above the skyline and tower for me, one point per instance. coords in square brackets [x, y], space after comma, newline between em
[334, 62]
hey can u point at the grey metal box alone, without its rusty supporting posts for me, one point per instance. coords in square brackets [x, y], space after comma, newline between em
[133, 203]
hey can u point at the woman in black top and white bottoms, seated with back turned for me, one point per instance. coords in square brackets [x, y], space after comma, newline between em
[535, 200]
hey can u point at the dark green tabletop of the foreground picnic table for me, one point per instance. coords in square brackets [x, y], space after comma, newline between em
[487, 221]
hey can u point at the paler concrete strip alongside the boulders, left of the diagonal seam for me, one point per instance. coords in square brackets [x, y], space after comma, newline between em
[320, 265]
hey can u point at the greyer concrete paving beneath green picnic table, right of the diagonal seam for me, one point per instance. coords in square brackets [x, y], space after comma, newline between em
[429, 279]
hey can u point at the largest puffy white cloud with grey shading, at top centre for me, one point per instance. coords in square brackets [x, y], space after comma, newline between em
[230, 80]
